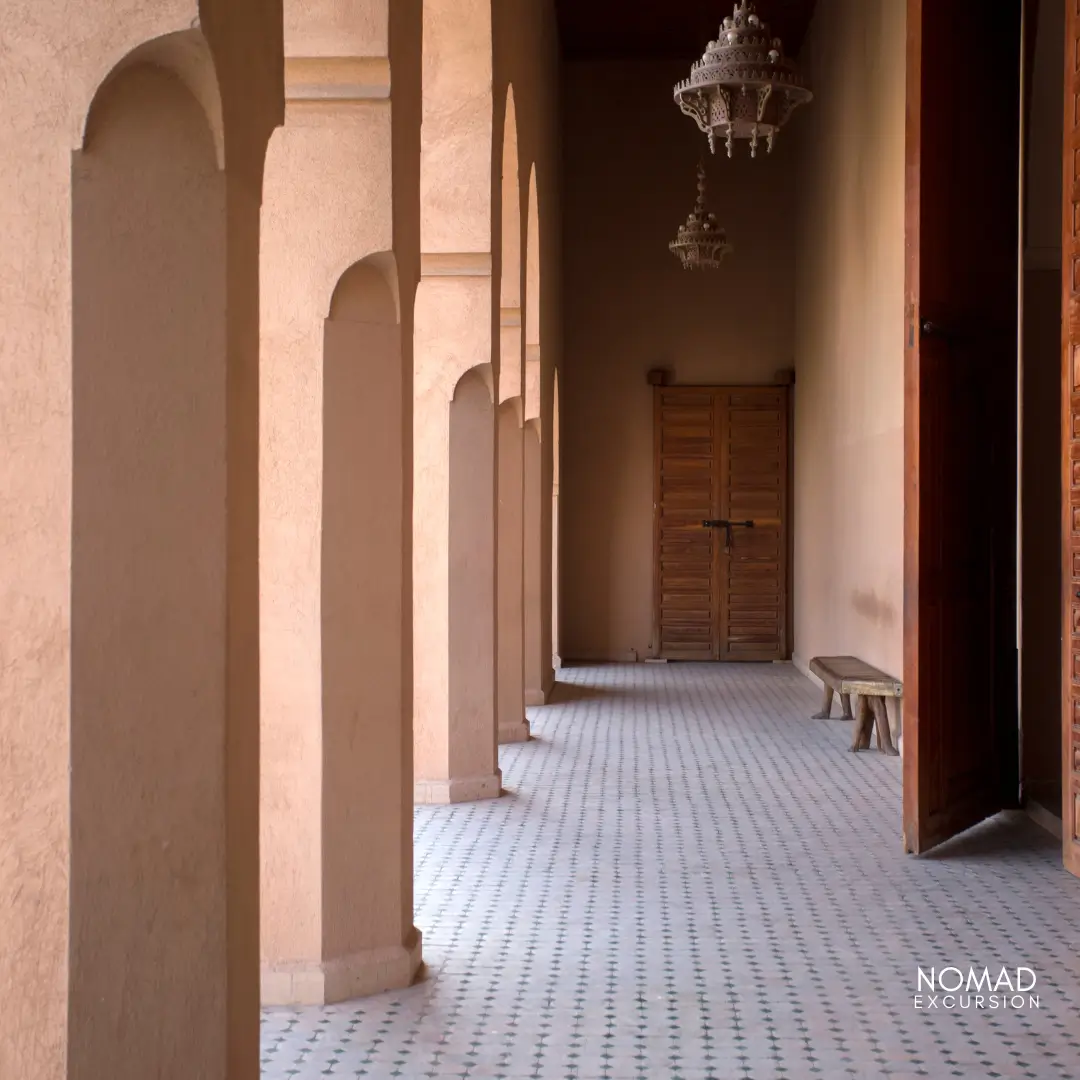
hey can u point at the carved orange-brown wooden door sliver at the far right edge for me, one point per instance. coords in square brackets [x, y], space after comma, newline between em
[1071, 436]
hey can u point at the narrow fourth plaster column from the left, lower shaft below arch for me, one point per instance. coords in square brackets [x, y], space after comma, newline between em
[514, 726]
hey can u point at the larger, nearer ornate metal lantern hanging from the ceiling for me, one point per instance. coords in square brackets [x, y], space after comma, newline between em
[744, 88]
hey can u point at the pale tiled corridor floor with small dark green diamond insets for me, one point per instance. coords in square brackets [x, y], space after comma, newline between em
[691, 880]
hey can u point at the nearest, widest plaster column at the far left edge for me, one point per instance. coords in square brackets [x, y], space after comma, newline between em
[129, 546]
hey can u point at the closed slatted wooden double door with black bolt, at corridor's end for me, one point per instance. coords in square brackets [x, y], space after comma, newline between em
[721, 547]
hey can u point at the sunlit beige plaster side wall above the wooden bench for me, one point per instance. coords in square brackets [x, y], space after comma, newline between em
[849, 339]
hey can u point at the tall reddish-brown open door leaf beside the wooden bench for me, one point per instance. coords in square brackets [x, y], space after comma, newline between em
[961, 661]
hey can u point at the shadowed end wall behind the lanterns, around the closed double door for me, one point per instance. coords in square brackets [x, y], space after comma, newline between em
[629, 184]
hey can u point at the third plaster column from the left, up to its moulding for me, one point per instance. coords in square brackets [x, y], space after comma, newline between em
[456, 754]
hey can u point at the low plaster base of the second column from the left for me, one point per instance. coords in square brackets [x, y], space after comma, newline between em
[358, 976]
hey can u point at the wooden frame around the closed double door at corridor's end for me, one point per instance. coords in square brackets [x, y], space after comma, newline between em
[787, 502]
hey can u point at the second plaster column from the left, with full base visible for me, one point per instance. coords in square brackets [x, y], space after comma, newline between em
[337, 827]
